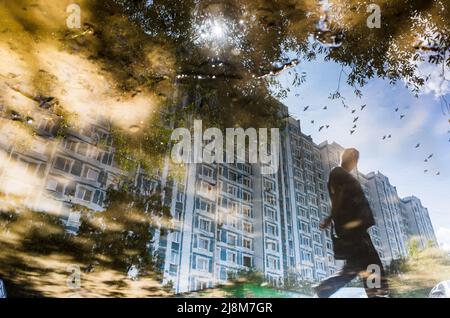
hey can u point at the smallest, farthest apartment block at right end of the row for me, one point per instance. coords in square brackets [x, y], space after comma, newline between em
[418, 223]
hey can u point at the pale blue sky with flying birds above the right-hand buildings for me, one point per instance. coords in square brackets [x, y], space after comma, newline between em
[425, 122]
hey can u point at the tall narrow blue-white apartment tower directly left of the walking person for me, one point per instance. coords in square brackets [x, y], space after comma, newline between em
[308, 250]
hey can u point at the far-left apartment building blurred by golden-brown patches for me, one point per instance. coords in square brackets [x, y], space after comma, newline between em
[62, 171]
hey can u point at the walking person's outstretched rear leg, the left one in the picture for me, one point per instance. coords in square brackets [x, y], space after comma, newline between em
[333, 283]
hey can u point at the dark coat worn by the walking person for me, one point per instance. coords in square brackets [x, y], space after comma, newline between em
[350, 209]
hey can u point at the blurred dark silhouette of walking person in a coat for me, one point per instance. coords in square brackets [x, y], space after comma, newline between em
[350, 219]
